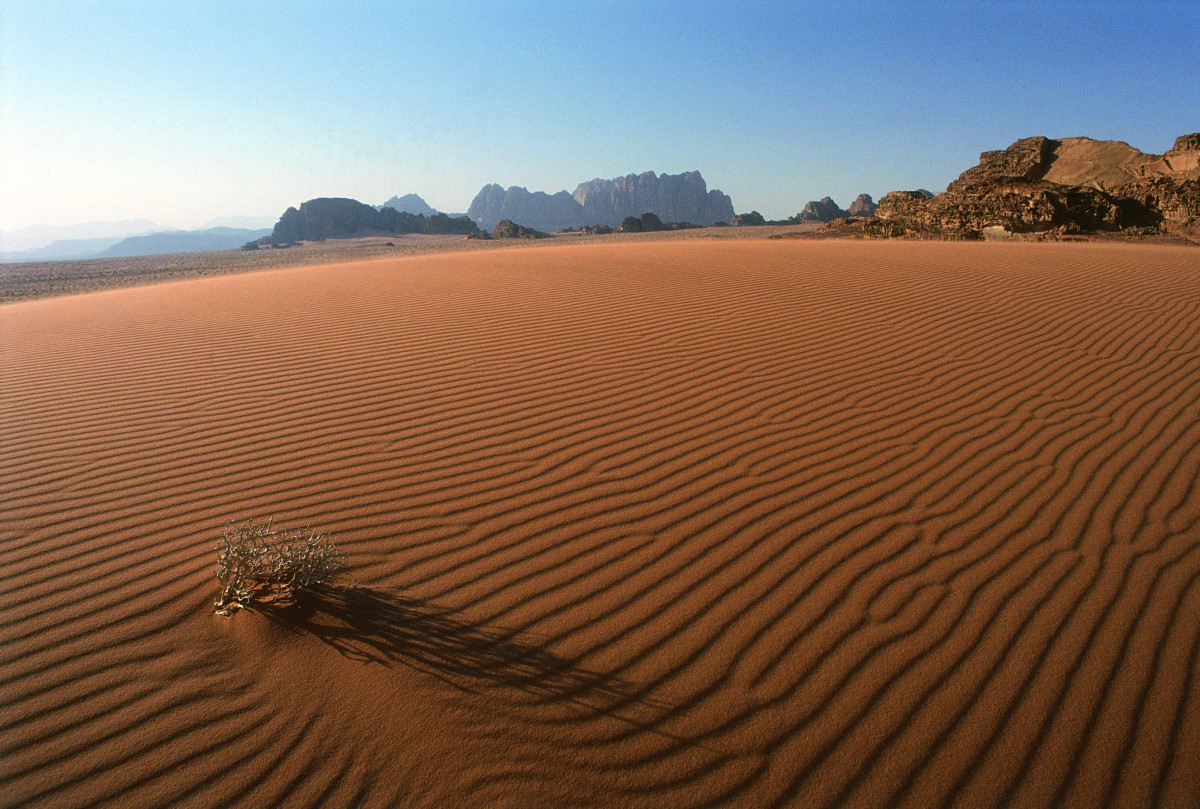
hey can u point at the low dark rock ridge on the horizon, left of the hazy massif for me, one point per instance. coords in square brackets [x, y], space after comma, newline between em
[338, 218]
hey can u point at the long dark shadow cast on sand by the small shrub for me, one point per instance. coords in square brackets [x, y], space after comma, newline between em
[382, 627]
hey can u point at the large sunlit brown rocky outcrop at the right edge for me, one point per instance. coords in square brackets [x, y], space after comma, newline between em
[1042, 185]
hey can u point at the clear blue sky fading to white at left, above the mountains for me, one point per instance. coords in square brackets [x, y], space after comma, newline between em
[183, 112]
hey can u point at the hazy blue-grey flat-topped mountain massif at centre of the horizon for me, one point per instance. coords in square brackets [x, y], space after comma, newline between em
[674, 197]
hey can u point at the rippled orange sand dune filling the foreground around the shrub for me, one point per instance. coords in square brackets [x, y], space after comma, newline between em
[640, 525]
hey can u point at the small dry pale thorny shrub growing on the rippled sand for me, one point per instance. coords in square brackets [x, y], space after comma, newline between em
[254, 558]
